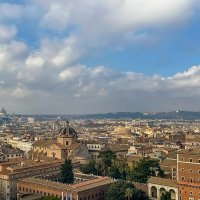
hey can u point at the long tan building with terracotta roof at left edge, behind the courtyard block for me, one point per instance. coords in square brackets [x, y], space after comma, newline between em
[15, 169]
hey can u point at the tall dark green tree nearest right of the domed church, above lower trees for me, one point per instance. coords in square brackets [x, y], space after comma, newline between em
[105, 160]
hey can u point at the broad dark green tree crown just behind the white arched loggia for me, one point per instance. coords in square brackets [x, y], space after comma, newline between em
[144, 169]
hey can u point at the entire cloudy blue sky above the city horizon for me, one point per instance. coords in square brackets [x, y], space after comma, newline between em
[99, 56]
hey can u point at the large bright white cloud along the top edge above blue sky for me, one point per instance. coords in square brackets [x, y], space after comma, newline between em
[96, 21]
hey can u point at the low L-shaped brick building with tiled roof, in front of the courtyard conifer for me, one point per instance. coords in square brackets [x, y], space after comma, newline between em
[94, 188]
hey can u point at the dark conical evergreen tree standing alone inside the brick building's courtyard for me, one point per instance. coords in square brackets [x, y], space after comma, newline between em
[67, 175]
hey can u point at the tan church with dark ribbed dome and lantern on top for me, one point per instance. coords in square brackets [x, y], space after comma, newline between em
[65, 146]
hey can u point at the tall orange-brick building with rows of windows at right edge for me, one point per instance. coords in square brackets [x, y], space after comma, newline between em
[188, 175]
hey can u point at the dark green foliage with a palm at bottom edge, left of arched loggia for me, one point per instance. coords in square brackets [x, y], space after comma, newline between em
[119, 191]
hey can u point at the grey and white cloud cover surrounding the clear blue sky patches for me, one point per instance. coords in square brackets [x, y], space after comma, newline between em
[50, 78]
